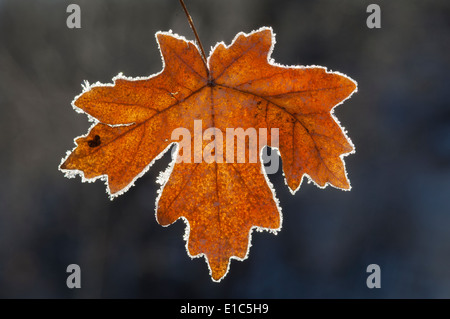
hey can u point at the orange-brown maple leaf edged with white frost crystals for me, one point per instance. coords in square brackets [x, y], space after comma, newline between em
[241, 87]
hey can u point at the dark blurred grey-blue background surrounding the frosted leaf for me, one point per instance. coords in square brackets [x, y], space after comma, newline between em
[397, 214]
